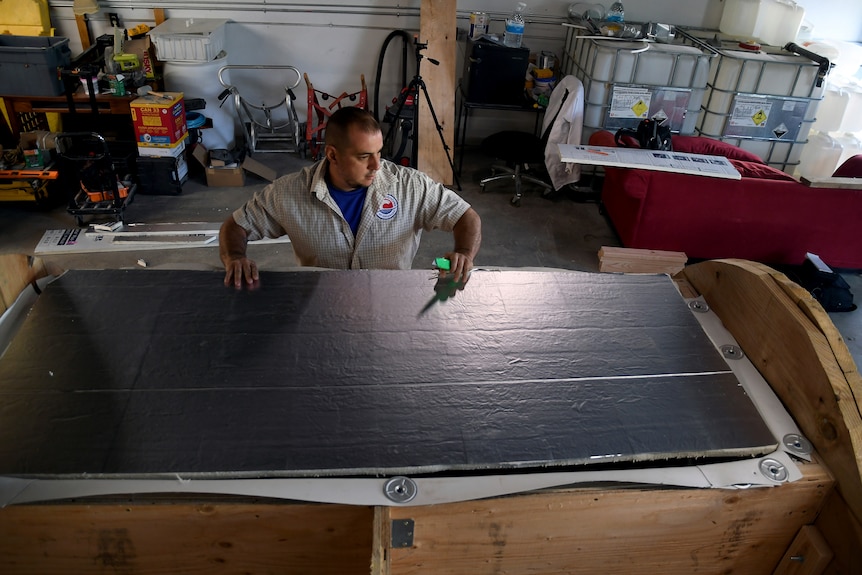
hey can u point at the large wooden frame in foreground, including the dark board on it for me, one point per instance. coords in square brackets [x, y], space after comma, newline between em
[536, 422]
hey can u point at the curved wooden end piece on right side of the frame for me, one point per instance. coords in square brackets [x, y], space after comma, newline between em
[805, 362]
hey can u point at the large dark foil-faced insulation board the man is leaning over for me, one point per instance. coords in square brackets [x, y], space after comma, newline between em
[142, 373]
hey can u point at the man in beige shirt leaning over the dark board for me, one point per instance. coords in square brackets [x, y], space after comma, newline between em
[351, 210]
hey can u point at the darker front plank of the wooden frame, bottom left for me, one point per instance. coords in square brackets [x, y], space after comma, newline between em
[170, 536]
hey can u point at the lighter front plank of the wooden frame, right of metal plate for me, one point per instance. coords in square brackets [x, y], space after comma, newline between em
[613, 531]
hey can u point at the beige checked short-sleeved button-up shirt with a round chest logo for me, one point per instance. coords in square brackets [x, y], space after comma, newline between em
[399, 205]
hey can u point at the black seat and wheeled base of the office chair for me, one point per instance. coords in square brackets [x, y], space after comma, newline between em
[519, 151]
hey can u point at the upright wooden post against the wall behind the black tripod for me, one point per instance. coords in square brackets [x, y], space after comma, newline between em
[438, 29]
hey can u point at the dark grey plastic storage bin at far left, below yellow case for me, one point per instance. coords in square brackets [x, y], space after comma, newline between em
[29, 64]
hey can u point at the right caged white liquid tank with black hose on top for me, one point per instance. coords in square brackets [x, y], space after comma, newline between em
[762, 101]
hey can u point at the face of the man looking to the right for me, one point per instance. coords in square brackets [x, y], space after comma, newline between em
[356, 164]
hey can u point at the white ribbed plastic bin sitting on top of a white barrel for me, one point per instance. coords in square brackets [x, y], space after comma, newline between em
[189, 40]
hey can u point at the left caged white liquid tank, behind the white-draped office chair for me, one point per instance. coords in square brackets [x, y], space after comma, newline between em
[627, 81]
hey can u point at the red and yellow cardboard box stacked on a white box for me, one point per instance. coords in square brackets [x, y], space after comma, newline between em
[159, 120]
